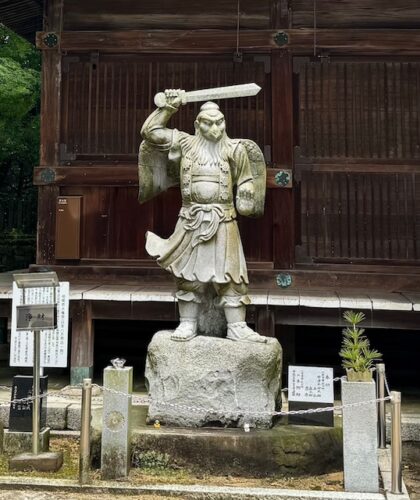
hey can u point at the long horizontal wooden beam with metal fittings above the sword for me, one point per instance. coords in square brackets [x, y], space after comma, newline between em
[298, 41]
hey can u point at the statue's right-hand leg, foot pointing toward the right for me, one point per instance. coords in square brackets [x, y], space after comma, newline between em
[234, 298]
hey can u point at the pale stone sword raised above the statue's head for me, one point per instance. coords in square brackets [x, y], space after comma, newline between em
[245, 90]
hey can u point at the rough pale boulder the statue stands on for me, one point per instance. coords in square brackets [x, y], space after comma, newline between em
[213, 381]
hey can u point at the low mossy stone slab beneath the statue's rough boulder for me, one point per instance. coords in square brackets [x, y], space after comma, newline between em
[283, 450]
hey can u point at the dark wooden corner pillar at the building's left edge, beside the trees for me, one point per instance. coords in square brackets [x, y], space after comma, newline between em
[50, 133]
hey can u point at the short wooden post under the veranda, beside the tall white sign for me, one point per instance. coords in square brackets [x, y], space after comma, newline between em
[82, 341]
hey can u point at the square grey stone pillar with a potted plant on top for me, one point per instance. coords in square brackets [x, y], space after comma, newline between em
[360, 440]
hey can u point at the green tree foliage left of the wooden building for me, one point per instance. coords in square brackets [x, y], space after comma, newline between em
[20, 66]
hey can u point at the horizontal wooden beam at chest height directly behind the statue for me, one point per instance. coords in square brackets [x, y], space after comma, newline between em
[106, 175]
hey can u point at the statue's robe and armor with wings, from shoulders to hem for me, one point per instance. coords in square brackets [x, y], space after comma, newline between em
[206, 244]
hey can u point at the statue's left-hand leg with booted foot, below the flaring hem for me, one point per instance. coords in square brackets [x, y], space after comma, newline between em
[189, 298]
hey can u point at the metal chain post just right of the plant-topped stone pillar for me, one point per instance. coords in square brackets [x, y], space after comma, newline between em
[396, 444]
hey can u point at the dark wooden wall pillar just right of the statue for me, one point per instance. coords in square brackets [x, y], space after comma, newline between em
[282, 151]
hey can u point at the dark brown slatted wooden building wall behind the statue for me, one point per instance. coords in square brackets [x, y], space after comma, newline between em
[339, 109]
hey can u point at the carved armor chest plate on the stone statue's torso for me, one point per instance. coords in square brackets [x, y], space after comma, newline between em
[209, 182]
